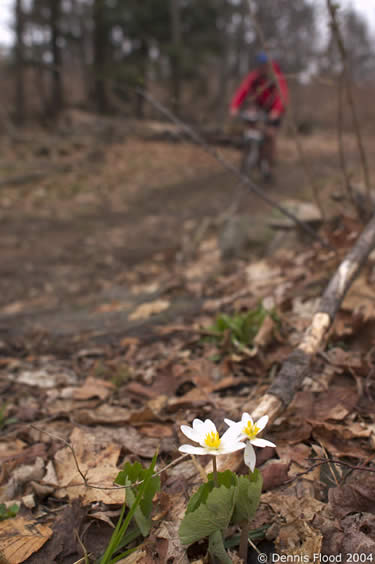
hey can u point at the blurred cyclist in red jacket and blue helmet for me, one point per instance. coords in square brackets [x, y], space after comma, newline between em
[260, 91]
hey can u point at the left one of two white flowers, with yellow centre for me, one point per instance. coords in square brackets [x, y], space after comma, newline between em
[205, 433]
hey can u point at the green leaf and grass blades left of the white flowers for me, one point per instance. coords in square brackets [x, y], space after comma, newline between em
[138, 498]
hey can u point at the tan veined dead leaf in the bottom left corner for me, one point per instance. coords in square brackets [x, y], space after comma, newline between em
[20, 538]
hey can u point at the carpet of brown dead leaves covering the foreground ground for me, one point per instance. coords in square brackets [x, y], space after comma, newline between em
[123, 401]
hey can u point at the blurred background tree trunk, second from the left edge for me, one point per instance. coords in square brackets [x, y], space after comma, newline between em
[56, 102]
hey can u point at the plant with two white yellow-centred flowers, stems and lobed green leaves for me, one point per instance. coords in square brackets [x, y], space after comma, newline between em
[225, 499]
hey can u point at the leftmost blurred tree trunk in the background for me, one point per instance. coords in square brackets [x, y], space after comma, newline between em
[20, 63]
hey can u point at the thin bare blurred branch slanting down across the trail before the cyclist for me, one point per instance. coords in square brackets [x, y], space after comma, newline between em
[231, 168]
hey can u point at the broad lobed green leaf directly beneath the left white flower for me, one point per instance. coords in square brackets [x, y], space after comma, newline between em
[213, 515]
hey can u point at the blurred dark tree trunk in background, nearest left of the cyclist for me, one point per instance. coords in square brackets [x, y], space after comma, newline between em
[176, 53]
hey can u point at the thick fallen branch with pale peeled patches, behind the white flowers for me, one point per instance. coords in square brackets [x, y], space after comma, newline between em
[296, 366]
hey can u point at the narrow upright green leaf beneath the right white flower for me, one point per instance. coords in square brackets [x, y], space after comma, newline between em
[248, 498]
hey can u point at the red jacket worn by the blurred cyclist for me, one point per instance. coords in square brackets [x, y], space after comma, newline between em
[262, 92]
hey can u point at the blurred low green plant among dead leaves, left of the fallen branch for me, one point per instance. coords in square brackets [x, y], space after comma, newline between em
[241, 328]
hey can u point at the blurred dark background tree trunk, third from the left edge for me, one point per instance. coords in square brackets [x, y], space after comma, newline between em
[101, 42]
